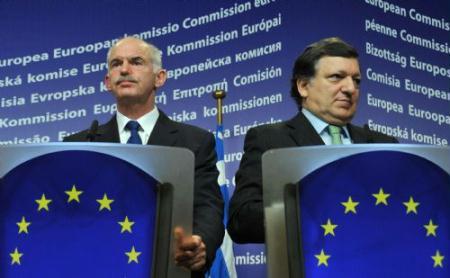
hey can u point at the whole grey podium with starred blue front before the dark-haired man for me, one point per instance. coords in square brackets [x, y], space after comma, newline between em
[376, 210]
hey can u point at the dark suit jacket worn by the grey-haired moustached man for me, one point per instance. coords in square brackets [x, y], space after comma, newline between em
[208, 203]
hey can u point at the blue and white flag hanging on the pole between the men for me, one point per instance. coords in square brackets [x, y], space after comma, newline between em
[223, 265]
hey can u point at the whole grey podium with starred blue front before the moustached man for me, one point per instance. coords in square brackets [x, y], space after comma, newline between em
[102, 210]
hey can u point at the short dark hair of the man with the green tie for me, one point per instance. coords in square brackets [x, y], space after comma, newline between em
[305, 65]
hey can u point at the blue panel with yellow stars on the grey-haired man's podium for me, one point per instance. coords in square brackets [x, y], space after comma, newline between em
[77, 214]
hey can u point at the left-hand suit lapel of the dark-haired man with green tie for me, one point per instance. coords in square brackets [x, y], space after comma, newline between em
[302, 132]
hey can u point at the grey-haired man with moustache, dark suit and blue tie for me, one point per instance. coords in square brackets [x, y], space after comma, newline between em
[134, 74]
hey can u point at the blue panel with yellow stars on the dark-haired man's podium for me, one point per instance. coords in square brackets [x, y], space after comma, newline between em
[376, 214]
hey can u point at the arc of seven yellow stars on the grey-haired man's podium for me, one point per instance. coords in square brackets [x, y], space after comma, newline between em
[74, 196]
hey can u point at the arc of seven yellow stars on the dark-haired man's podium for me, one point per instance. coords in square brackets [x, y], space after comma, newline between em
[381, 198]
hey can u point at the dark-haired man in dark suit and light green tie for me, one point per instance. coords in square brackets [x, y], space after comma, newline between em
[325, 86]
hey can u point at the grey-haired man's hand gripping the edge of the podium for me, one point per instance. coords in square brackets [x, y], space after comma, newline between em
[190, 251]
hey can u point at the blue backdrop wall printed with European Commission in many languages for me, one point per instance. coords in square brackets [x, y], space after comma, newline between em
[52, 63]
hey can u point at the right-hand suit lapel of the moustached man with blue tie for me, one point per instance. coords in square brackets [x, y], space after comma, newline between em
[164, 132]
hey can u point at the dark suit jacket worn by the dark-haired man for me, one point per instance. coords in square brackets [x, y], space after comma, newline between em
[246, 218]
